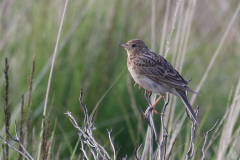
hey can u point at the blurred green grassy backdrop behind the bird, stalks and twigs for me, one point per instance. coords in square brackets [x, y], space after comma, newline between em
[89, 57]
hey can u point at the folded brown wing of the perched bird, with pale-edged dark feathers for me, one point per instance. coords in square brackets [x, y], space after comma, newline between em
[160, 70]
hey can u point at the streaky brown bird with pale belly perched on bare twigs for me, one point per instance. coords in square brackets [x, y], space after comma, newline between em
[155, 74]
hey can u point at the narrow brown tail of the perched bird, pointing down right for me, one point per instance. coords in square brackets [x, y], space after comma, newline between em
[184, 98]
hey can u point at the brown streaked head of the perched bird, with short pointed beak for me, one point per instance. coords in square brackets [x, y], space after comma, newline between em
[134, 46]
